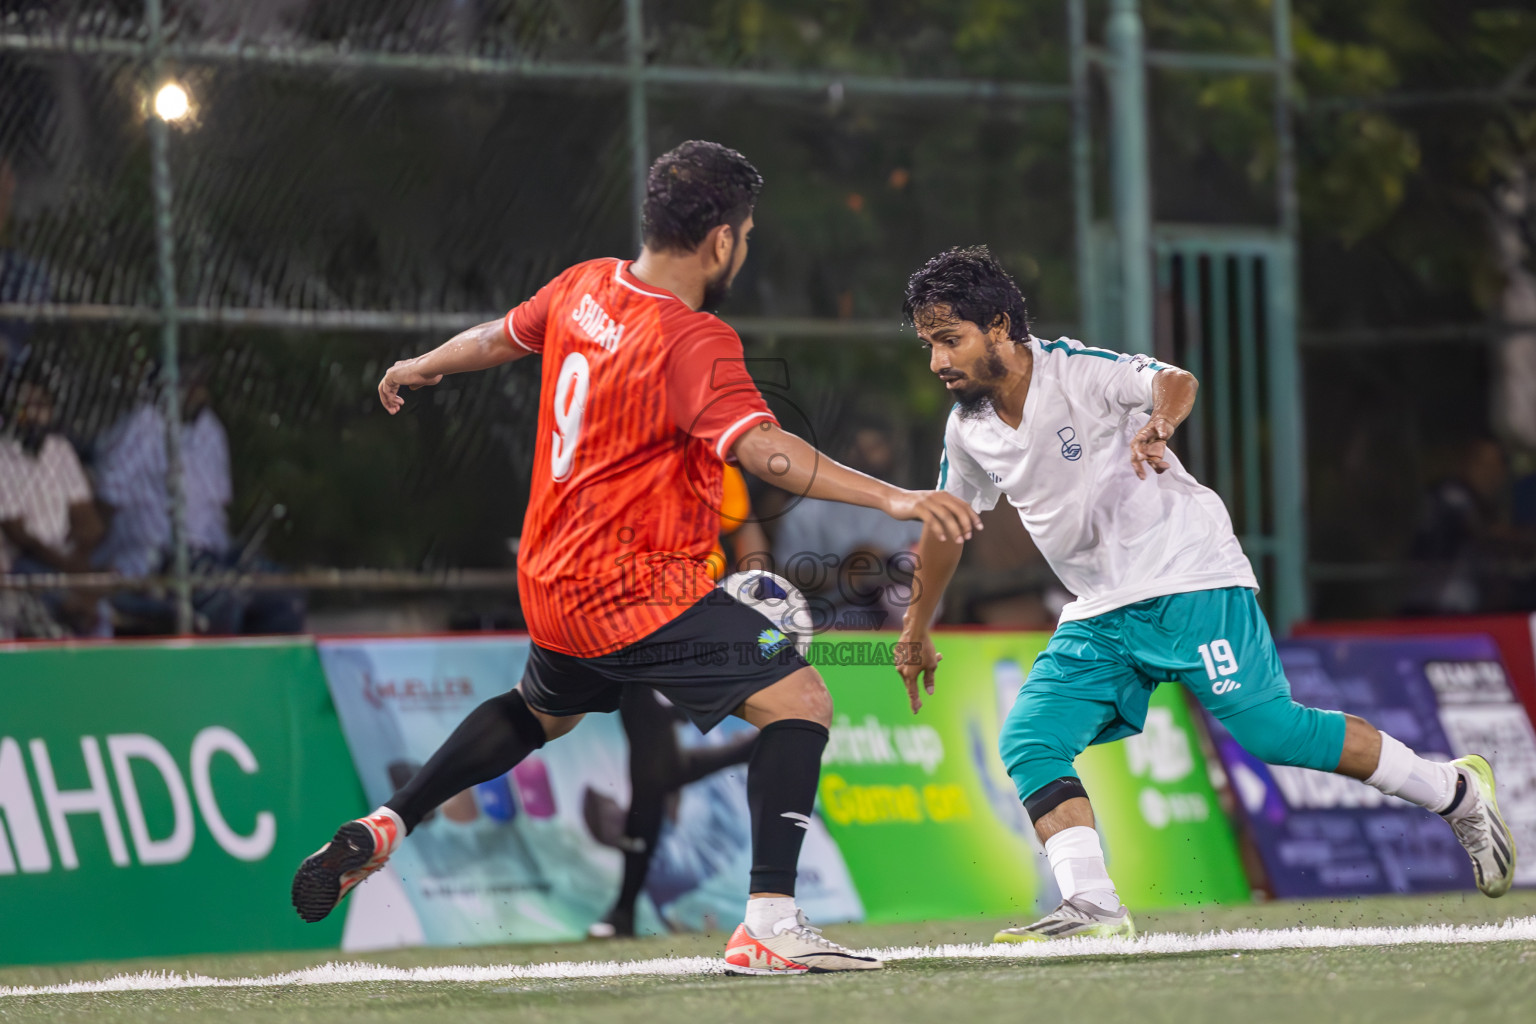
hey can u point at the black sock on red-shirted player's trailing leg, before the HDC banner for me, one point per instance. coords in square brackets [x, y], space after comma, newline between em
[491, 742]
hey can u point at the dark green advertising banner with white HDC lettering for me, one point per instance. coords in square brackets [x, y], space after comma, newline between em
[156, 799]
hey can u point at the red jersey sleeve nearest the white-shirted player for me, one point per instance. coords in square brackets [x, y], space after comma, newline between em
[710, 395]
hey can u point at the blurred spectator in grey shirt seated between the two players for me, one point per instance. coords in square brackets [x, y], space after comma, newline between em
[841, 557]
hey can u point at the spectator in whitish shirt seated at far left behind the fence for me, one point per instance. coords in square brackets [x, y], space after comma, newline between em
[48, 520]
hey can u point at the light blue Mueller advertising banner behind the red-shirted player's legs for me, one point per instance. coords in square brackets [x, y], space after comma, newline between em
[535, 856]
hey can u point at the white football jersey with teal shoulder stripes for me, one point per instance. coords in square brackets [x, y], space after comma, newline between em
[1113, 540]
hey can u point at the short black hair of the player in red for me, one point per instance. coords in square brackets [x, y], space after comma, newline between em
[695, 188]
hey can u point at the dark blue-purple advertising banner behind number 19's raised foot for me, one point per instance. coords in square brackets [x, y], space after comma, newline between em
[1323, 834]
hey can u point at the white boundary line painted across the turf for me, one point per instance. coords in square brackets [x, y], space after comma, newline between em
[1512, 931]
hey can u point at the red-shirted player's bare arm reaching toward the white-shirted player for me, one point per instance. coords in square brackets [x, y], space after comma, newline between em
[783, 460]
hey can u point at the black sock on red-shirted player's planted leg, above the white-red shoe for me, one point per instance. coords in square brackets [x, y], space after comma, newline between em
[781, 791]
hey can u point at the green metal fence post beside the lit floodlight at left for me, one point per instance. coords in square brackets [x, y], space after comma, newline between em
[170, 342]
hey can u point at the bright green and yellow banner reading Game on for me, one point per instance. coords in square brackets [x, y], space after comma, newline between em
[932, 827]
